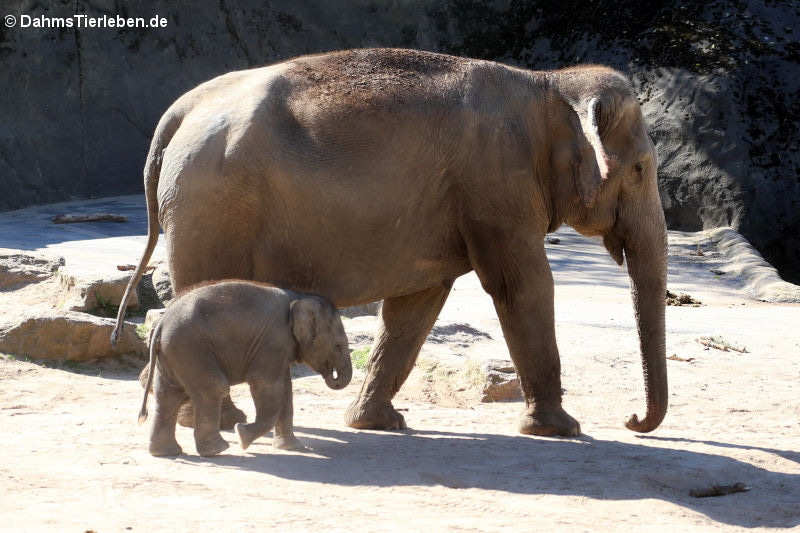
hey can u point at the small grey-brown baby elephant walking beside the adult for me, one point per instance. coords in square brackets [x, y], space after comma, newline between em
[230, 332]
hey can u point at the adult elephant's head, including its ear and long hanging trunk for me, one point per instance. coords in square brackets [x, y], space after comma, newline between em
[614, 194]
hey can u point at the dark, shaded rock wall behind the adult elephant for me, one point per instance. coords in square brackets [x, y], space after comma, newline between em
[718, 82]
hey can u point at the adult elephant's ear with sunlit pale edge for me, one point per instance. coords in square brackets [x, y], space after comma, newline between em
[591, 164]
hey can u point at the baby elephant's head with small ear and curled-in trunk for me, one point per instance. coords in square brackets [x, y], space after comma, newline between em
[321, 340]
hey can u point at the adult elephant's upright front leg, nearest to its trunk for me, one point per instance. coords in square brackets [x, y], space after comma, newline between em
[516, 273]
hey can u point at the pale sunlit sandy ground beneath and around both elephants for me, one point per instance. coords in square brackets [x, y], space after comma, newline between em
[74, 459]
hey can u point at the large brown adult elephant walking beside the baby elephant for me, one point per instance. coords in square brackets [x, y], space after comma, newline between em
[385, 174]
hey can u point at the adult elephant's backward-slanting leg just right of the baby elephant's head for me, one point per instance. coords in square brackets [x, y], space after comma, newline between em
[405, 322]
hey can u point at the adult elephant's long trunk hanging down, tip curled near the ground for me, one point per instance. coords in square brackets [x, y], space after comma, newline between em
[643, 237]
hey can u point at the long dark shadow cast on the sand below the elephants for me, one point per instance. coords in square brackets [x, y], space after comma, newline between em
[600, 469]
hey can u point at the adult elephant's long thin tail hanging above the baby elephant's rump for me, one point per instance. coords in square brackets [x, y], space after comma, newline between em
[166, 128]
